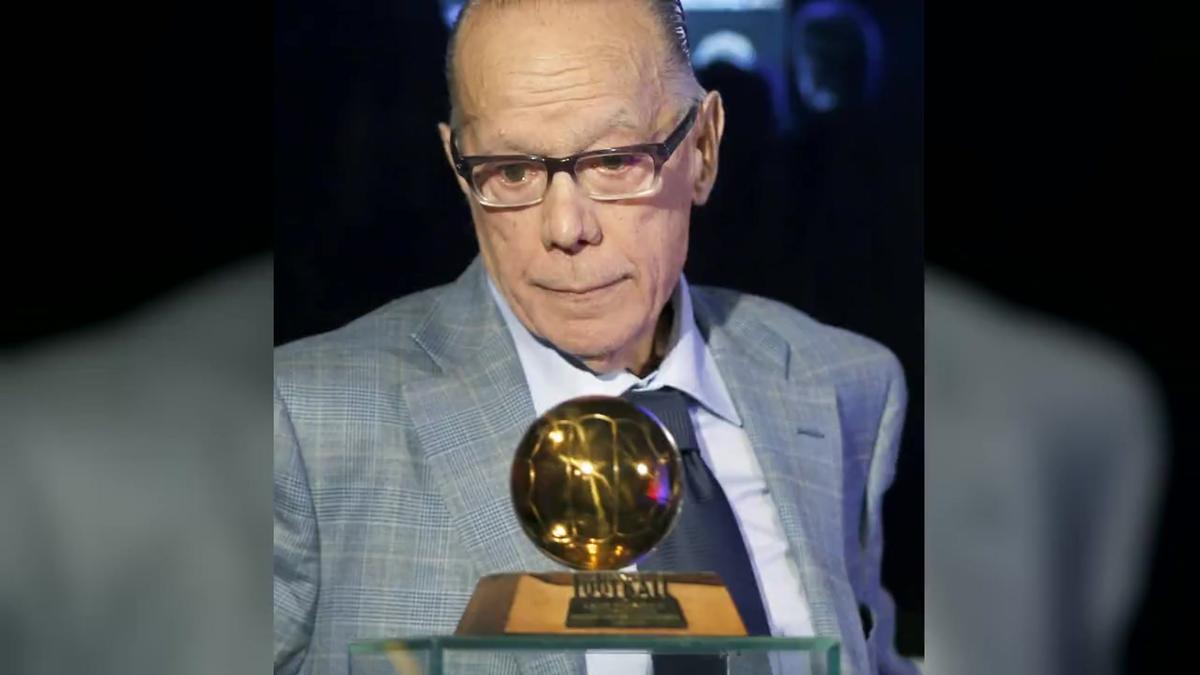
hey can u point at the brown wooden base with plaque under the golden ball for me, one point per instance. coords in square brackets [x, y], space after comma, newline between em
[589, 604]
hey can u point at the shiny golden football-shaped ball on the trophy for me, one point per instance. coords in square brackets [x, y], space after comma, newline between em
[597, 483]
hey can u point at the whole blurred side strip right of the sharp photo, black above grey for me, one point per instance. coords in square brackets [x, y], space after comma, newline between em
[1061, 384]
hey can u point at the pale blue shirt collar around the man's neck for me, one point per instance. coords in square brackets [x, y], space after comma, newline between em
[688, 366]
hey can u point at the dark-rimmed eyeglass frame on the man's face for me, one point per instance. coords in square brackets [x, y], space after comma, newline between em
[661, 152]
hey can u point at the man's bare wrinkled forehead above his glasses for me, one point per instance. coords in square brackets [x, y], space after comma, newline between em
[560, 79]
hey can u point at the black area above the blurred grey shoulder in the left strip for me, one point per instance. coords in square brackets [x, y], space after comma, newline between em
[139, 151]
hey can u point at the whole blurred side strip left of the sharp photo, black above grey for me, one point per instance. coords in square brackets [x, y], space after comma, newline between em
[135, 345]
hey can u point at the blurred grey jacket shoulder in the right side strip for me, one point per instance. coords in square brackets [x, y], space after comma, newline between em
[1047, 450]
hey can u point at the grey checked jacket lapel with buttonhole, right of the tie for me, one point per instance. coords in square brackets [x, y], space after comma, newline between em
[796, 434]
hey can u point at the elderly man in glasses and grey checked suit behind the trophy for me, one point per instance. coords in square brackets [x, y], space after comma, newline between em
[581, 140]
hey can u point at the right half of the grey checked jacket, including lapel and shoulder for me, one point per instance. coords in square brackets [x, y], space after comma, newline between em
[829, 405]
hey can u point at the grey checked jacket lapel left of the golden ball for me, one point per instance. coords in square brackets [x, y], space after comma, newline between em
[470, 417]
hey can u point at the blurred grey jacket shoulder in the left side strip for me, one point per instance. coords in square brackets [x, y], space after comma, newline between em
[135, 504]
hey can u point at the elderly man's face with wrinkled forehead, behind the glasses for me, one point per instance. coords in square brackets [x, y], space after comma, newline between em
[556, 80]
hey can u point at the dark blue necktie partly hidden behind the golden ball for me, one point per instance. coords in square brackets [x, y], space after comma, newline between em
[706, 539]
